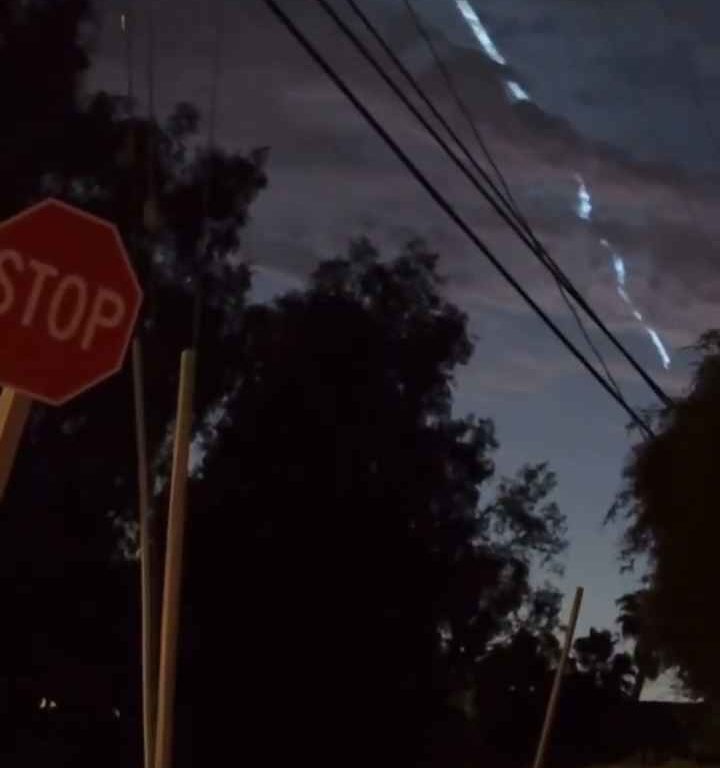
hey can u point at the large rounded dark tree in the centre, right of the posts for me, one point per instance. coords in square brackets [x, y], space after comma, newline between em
[339, 521]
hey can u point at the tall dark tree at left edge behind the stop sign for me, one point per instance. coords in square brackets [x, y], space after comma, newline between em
[68, 568]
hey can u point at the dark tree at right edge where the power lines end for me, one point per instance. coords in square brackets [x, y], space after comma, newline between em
[667, 501]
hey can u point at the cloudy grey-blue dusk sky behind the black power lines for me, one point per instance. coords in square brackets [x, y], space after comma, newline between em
[623, 102]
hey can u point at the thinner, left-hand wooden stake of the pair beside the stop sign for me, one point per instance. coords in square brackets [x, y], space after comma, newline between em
[148, 566]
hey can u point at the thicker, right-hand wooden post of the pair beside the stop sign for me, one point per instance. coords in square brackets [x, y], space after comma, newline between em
[173, 564]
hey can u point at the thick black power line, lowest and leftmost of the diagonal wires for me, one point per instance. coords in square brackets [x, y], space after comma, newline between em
[446, 206]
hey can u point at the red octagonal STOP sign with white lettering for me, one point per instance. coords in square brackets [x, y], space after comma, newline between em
[68, 301]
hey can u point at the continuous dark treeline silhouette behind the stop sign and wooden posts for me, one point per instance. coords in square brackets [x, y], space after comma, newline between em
[357, 583]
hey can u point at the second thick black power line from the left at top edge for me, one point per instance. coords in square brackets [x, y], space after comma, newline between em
[530, 241]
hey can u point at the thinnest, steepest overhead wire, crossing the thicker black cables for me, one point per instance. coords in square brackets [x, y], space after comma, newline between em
[475, 130]
